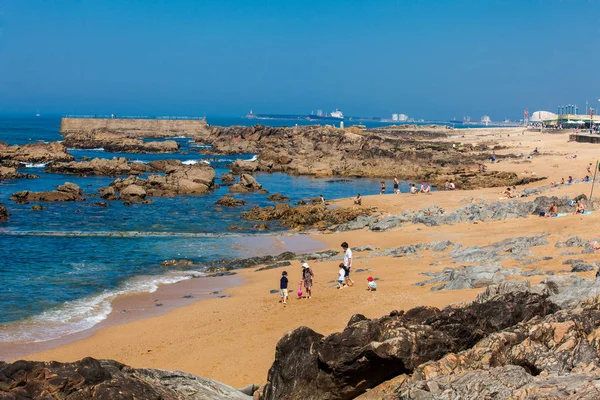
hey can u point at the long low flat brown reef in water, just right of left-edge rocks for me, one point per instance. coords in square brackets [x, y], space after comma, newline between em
[99, 166]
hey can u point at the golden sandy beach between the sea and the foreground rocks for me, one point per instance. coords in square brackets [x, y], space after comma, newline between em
[232, 339]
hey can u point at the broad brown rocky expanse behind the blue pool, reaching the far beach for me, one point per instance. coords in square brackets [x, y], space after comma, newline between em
[407, 153]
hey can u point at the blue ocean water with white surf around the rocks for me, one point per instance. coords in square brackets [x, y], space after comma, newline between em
[61, 267]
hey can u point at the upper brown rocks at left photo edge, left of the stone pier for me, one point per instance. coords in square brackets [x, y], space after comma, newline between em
[34, 153]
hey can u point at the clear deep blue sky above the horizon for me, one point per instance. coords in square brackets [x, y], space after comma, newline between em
[427, 59]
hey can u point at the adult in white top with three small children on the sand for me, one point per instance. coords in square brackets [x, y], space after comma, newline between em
[306, 282]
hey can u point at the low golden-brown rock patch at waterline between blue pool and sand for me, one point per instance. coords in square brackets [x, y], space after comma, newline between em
[309, 216]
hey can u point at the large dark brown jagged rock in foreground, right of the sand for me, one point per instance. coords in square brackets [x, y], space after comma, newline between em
[368, 352]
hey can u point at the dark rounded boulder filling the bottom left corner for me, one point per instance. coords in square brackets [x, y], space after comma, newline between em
[105, 379]
